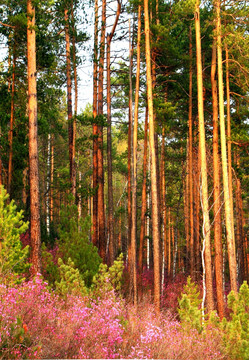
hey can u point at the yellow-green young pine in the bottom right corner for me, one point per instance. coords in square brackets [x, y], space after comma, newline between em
[236, 331]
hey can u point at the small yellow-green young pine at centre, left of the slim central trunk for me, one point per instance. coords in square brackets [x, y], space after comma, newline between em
[108, 279]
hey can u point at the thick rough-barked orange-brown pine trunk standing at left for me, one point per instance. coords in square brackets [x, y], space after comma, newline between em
[35, 231]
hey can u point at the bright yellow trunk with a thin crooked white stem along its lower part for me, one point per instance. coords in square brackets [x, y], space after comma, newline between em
[204, 183]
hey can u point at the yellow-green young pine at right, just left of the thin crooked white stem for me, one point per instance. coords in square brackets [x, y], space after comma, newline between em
[189, 307]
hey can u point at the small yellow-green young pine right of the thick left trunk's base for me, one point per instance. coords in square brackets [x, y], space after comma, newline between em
[70, 280]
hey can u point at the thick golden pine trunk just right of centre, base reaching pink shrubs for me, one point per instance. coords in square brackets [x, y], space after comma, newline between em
[154, 189]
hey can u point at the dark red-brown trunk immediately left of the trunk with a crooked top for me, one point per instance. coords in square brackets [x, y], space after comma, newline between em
[101, 204]
